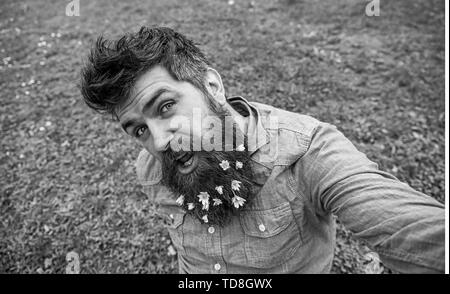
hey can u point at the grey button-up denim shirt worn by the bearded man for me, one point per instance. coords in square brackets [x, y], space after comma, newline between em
[309, 174]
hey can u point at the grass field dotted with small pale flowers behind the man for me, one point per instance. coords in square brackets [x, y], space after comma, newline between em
[67, 179]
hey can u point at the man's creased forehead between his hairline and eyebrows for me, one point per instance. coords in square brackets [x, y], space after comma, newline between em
[151, 80]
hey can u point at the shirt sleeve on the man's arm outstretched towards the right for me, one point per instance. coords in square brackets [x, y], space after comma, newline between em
[405, 227]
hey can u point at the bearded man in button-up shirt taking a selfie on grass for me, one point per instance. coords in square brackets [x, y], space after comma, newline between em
[249, 188]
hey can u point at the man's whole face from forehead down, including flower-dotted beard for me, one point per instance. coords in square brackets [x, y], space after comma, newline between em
[212, 184]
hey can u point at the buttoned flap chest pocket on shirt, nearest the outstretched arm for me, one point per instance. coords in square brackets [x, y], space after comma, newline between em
[271, 237]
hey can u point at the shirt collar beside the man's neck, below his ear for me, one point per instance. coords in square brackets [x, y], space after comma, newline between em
[257, 135]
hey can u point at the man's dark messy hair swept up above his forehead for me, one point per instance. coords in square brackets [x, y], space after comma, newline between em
[113, 66]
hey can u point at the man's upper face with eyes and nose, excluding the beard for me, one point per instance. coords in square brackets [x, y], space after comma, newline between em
[156, 101]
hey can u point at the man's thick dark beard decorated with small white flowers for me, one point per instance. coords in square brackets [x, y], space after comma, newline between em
[220, 185]
